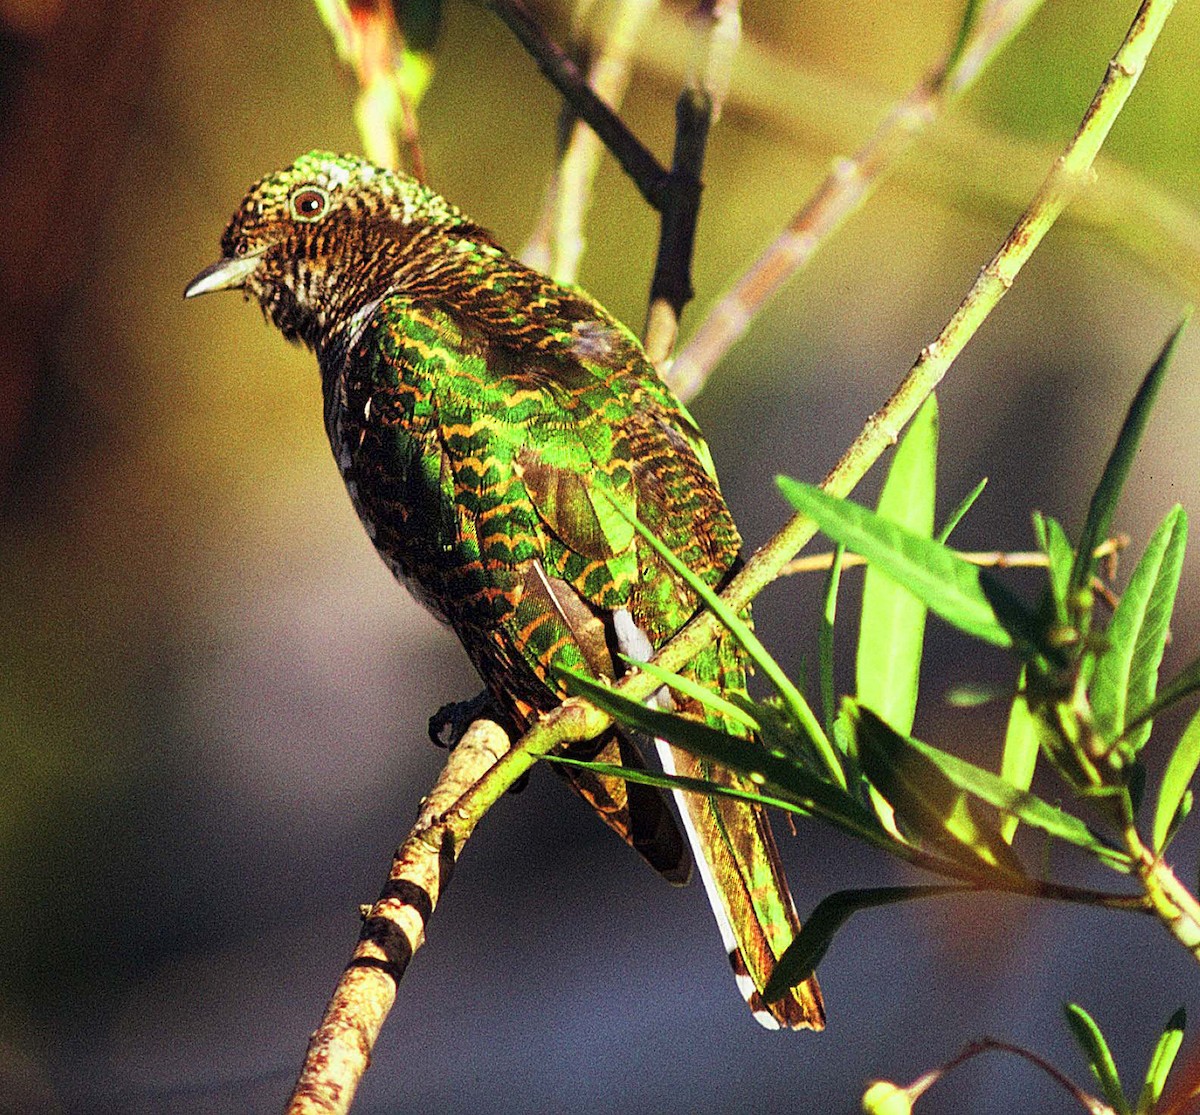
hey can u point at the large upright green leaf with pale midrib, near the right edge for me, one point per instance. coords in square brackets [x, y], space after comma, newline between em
[1127, 672]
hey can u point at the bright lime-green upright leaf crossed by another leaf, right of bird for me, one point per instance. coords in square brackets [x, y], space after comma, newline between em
[892, 631]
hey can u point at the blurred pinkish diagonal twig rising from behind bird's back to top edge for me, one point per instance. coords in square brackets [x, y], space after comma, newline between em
[851, 182]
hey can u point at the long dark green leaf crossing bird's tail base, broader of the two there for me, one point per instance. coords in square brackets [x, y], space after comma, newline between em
[778, 772]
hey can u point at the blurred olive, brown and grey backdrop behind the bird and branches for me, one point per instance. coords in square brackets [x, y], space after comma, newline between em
[213, 697]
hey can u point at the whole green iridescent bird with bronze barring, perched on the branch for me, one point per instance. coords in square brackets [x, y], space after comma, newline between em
[485, 419]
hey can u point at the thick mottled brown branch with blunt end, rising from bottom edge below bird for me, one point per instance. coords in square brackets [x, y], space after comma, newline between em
[393, 930]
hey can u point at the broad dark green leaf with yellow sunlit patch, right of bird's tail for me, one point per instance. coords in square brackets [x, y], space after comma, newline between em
[927, 804]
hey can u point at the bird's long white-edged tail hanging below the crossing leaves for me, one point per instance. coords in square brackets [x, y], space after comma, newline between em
[739, 862]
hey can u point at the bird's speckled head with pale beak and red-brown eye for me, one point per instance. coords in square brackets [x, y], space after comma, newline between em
[323, 238]
